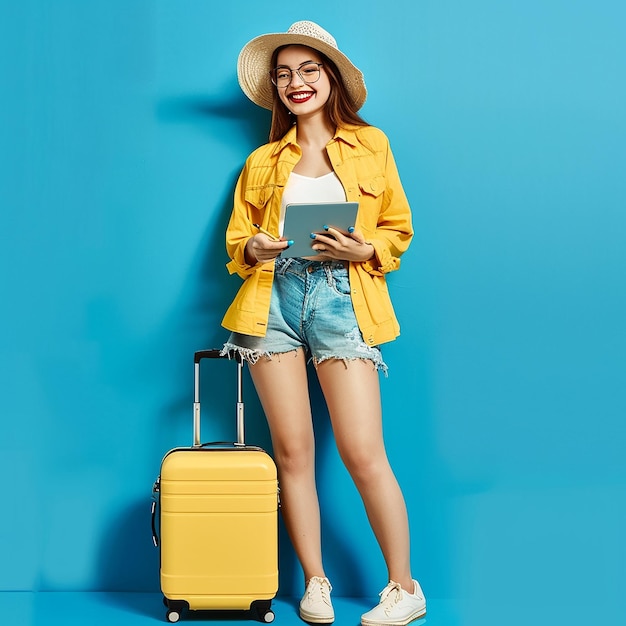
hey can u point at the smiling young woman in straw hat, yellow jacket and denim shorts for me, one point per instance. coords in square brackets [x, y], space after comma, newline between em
[331, 307]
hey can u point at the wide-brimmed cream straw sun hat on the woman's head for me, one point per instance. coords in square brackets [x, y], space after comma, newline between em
[253, 65]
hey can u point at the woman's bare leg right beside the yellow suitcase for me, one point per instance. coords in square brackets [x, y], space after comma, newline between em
[281, 384]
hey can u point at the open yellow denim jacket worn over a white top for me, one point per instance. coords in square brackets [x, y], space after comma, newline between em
[363, 162]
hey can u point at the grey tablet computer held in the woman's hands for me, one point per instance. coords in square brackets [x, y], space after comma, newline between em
[303, 218]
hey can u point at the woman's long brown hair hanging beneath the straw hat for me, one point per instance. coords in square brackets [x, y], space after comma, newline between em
[339, 108]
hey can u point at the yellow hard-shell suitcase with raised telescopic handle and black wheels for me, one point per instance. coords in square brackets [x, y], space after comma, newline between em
[218, 522]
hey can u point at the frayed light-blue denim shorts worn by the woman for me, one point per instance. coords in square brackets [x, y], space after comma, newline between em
[310, 308]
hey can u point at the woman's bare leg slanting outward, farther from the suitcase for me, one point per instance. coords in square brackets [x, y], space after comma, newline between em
[352, 394]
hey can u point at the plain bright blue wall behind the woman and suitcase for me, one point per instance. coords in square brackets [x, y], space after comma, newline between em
[122, 132]
